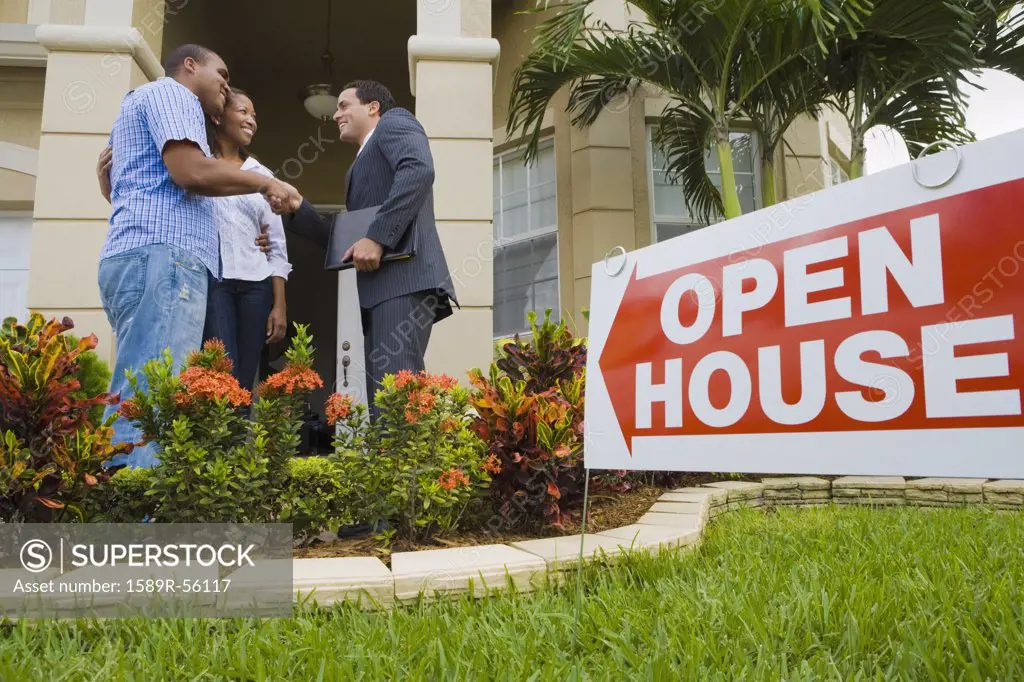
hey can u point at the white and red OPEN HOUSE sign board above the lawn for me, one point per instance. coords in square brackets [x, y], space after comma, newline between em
[868, 329]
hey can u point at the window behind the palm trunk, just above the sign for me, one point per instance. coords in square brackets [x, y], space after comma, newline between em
[670, 211]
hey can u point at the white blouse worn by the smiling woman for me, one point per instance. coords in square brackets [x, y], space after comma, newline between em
[239, 222]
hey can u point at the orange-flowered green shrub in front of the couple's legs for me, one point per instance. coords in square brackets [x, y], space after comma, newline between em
[217, 465]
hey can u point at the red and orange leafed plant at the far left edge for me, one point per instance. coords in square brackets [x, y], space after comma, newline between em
[51, 451]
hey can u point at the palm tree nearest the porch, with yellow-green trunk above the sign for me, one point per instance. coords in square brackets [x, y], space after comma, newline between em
[718, 65]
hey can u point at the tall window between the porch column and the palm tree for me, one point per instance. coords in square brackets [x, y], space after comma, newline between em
[526, 240]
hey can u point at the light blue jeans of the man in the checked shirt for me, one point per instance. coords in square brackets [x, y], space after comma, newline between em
[155, 300]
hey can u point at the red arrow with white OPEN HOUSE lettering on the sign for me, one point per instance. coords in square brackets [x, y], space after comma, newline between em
[844, 329]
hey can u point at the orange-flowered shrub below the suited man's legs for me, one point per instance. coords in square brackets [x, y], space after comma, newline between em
[419, 465]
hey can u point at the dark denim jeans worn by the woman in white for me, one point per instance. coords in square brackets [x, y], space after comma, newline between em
[236, 313]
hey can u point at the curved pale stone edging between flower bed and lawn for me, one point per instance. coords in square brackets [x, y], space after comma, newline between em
[676, 521]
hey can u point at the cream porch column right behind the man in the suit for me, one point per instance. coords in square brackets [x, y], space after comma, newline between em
[451, 62]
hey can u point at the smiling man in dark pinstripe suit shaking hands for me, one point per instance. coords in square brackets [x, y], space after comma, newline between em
[401, 301]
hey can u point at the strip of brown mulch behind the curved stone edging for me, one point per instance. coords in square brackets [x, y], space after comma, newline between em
[608, 510]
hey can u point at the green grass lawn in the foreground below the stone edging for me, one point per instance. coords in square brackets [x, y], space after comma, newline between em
[832, 593]
